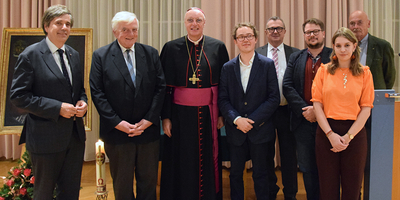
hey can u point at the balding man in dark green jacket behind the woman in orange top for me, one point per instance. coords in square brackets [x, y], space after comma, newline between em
[376, 53]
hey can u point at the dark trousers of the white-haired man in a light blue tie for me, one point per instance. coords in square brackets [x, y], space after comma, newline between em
[129, 160]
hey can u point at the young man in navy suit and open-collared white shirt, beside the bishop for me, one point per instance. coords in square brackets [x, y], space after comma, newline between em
[248, 97]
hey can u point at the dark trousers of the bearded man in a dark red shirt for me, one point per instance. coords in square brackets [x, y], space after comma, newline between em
[305, 141]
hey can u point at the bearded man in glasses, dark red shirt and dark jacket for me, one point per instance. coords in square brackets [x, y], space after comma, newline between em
[297, 82]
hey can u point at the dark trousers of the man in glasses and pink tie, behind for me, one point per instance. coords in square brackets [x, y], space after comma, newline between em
[287, 150]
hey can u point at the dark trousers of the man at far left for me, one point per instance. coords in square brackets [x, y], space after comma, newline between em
[63, 169]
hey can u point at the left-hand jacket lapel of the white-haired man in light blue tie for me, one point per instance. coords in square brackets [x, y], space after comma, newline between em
[120, 64]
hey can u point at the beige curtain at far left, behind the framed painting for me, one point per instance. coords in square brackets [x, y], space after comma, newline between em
[20, 14]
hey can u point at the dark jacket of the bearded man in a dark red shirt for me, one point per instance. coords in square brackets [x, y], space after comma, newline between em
[293, 83]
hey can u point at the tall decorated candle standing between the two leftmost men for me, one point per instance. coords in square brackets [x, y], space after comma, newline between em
[100, 168]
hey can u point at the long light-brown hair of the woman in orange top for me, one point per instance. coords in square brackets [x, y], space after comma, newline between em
[355, 66]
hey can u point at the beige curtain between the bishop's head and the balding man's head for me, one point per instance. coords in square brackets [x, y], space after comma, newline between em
[223, 15]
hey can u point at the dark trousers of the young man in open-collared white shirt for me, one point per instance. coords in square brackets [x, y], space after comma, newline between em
[239, 156]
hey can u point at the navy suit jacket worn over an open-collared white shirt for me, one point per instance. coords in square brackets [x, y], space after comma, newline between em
[258, 103]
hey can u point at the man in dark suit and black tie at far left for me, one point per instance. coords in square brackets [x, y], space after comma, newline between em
[48, 84]
